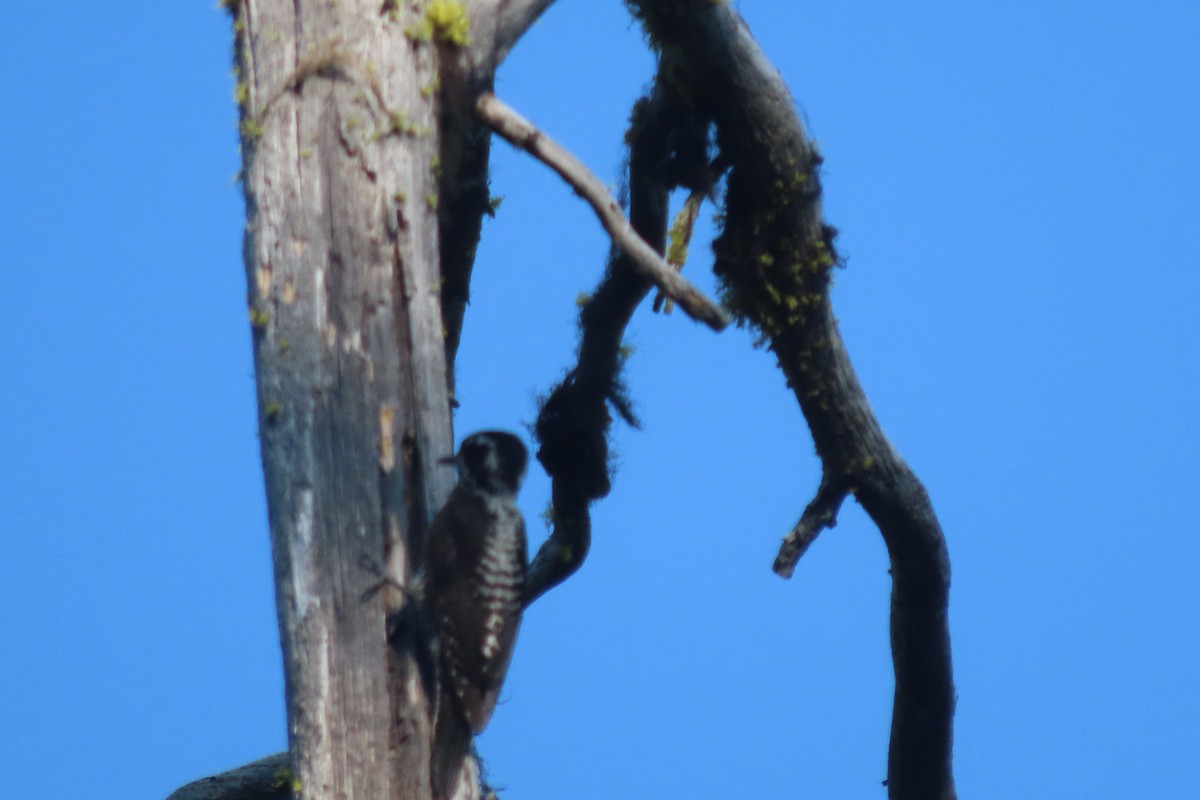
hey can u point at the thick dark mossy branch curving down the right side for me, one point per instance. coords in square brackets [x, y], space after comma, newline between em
[775, 260]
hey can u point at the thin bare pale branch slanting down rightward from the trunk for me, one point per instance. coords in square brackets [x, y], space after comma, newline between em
[521, 134]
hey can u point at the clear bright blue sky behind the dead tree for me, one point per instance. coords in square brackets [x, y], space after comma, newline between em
[1017, 191]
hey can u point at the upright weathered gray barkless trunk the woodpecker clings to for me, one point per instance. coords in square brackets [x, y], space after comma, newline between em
[340, 134]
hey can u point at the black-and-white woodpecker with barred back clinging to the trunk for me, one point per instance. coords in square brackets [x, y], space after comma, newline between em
[476, 563]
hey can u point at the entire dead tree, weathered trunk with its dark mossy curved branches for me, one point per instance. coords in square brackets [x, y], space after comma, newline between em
[365, 133]
